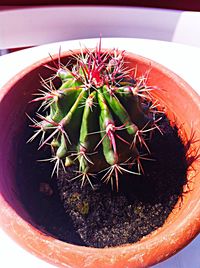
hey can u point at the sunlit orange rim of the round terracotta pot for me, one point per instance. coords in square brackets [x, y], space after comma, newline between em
[155, 239]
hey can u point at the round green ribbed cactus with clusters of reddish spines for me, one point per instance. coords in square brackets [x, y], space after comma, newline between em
[98, 117]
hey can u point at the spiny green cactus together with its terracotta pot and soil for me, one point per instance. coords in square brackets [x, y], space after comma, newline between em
[103, 117]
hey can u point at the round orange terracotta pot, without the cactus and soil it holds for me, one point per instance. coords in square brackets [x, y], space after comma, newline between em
[183, 224]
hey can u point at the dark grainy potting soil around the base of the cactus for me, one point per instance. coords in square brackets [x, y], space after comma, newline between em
[103, 217]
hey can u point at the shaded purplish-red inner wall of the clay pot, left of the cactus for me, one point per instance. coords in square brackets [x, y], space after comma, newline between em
[13, 109]
